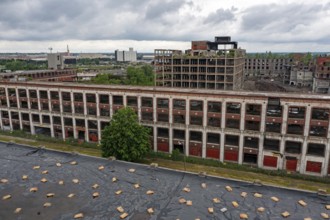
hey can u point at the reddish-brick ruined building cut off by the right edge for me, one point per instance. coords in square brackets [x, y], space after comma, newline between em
[321, 82]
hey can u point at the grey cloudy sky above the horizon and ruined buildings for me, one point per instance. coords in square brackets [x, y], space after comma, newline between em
[107, 25]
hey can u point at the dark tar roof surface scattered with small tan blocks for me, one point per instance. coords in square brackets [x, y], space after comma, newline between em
[167, 185]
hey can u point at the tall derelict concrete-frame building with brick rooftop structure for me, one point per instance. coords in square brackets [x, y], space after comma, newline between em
[207, 65]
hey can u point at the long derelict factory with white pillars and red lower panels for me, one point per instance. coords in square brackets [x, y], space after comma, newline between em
[266, 130]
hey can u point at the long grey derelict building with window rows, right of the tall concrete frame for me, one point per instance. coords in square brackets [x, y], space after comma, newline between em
[265, 67]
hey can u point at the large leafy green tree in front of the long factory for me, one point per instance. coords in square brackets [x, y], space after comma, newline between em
[124, 137]
